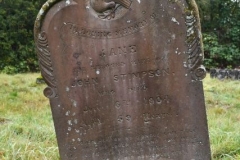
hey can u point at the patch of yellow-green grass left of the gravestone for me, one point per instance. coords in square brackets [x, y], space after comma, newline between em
[26, 127]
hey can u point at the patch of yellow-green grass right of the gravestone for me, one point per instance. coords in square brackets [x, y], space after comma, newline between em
[223, 109]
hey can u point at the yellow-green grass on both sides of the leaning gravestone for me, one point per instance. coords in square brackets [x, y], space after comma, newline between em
[27, 132]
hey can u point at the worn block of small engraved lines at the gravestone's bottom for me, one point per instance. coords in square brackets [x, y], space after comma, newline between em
[143, 146]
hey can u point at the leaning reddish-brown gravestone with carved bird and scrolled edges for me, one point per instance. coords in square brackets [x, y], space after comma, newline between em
[124, 78]
